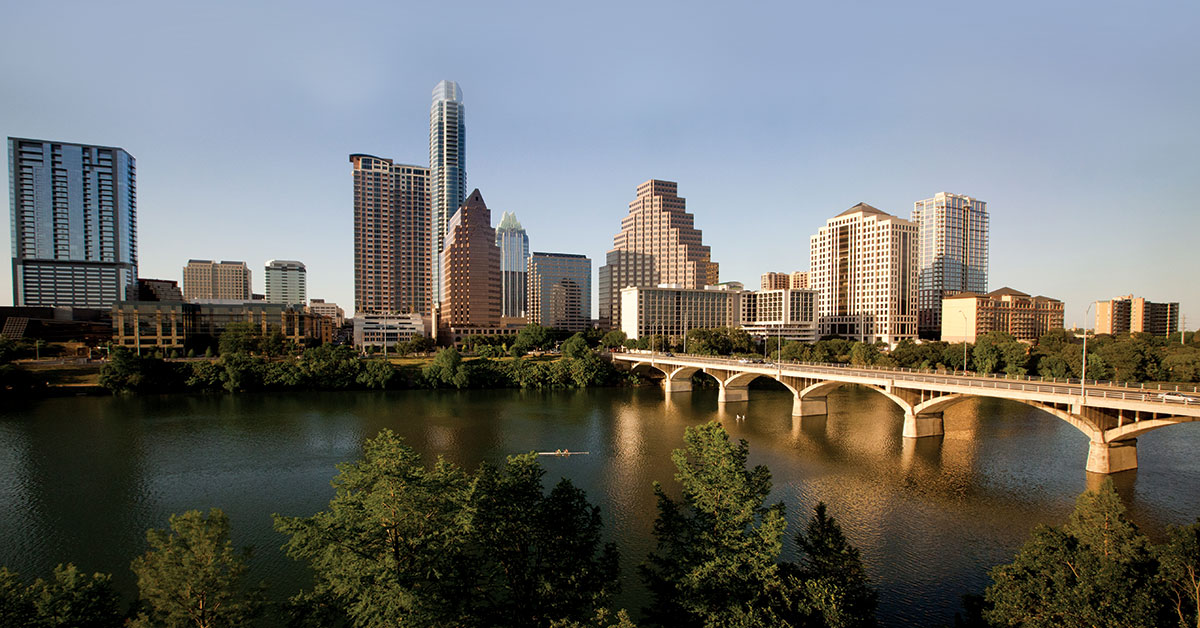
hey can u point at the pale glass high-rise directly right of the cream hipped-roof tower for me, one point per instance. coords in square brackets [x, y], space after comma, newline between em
[953, 254]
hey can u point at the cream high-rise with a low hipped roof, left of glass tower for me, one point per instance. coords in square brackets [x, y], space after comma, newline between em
[863, 265]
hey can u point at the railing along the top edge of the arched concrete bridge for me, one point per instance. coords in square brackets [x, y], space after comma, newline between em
[1172, 394]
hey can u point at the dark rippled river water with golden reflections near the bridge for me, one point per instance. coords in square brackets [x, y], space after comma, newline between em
[82, 480]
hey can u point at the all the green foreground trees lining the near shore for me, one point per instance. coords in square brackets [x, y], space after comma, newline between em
[416, 543]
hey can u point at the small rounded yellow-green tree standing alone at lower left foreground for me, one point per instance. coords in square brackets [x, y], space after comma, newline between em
[193, 577]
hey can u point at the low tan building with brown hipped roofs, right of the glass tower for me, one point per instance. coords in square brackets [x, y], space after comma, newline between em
[968, 316]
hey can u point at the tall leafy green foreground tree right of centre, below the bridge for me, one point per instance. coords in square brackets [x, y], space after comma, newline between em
[715, 564]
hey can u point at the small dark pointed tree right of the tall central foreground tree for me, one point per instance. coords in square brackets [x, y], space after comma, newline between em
[837, 591]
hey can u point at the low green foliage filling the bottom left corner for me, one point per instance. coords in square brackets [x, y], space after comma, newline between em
[69, 600]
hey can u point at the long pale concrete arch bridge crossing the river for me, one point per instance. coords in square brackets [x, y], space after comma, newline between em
[1113, 416]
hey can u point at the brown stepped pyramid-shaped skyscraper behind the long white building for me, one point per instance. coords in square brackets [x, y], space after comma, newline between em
[658, 243]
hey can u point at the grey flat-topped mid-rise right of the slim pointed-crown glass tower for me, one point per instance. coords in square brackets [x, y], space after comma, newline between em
[561, 291]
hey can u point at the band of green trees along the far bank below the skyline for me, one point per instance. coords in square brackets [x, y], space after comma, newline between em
[245, 361]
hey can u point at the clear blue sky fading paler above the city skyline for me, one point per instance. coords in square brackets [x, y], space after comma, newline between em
[1077, 123]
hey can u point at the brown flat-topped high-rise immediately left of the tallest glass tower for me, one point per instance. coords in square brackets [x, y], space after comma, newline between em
[393, 273]
